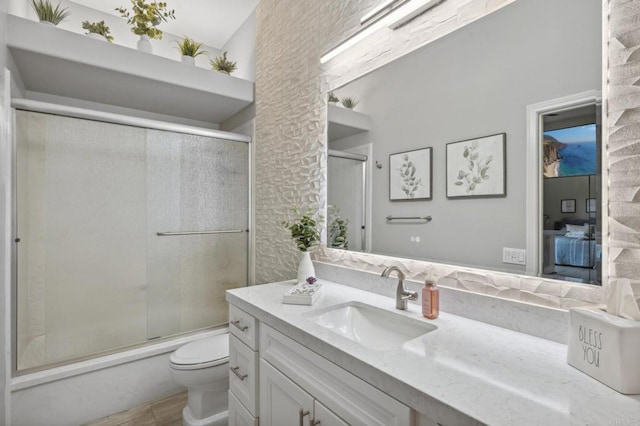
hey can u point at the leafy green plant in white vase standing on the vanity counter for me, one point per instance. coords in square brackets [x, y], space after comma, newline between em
[305, 233]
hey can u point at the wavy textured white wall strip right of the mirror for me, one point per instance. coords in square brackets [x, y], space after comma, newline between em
[624, 140]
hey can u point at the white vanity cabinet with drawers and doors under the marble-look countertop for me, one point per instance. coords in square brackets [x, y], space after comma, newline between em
[276, 381]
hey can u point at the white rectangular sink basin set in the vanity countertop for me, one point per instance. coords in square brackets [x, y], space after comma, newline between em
[372, 327]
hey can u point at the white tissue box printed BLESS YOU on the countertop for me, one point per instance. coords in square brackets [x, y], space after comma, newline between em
[606, 347]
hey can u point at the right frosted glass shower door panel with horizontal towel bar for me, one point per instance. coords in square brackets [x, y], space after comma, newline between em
[203, 185]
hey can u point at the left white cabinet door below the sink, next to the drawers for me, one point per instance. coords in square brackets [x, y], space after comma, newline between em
[282, 402]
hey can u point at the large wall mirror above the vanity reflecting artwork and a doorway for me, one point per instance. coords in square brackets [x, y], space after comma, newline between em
[438, 139]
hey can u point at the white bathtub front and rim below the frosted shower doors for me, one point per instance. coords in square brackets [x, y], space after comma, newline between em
[77, 393]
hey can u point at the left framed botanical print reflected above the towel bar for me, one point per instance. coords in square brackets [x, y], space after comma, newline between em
[410, 175]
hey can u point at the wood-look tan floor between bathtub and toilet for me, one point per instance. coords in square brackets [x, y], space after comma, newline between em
[166, 412]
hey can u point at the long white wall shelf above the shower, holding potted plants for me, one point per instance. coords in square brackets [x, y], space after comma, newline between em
[59, 62]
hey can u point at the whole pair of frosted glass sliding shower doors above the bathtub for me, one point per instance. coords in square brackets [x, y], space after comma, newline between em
[124, 234]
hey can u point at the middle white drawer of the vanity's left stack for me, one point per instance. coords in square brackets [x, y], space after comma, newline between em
[243, 379]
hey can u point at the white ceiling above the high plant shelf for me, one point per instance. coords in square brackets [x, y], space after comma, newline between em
[211, 22]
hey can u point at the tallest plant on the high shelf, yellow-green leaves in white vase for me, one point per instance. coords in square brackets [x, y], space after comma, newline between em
[144, 19]
